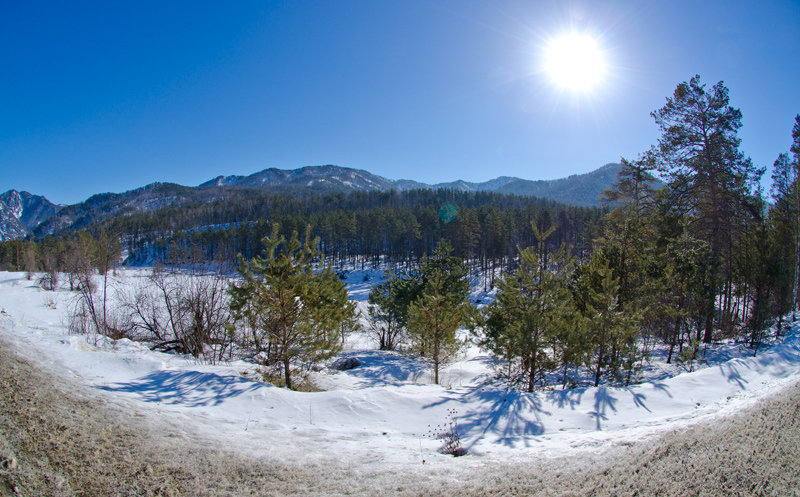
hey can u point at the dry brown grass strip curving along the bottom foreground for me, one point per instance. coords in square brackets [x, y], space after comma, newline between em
[58, 438]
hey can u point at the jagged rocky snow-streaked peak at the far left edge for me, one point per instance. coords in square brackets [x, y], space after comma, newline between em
[21, 212]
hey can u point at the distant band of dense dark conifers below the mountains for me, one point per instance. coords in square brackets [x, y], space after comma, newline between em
[361, 227]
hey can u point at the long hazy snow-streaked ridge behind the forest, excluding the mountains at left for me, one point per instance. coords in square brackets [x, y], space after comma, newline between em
[579, 189]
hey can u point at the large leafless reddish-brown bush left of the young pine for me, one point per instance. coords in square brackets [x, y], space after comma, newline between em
[183, 310]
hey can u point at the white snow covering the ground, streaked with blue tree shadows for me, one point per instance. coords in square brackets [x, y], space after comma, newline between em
[381, 412]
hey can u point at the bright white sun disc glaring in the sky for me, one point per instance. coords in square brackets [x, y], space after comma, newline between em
[574, 62]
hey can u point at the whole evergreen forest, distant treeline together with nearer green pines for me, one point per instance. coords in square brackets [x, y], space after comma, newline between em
[688, 250]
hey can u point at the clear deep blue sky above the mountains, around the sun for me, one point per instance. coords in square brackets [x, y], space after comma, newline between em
[109, 96]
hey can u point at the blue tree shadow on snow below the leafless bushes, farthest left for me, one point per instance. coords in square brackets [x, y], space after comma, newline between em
[188, 388]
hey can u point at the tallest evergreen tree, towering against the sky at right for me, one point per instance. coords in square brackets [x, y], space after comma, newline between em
[699, 151]
